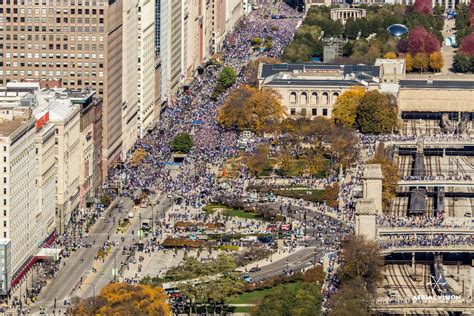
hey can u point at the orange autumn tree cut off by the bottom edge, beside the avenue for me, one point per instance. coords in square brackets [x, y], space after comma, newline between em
[126, 299]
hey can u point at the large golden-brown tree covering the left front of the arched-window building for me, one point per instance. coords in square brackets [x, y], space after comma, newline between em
[250, 108]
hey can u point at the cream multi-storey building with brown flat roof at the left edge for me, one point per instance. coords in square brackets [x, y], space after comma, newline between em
[20, 216]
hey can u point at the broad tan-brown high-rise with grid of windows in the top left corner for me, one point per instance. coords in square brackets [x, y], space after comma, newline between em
[79, 42]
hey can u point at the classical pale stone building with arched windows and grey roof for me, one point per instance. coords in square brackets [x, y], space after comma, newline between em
[311, 89]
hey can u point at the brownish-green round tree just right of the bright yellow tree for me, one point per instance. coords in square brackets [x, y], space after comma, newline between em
[377, 113]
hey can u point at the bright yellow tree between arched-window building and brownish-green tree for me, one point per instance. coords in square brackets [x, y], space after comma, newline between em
[346, 105]
